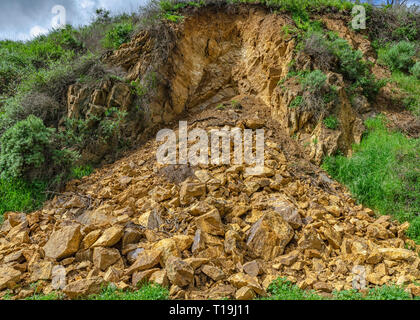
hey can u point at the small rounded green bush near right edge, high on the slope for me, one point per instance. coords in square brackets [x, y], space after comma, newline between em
[399, 56]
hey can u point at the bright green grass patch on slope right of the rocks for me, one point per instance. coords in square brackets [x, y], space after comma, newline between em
[383, 173]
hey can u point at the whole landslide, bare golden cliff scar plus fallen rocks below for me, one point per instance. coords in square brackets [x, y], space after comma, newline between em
[212, 231]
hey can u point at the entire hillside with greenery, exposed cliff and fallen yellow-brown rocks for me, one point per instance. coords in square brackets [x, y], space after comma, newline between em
[325, 95]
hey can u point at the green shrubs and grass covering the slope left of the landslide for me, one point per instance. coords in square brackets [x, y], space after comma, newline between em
[39, 145]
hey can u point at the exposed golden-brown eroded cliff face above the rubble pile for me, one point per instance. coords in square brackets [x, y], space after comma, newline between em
[218, 55]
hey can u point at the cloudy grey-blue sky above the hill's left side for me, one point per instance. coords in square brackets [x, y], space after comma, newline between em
[22, 19]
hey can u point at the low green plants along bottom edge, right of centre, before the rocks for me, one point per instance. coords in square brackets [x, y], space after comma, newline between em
[282, 289]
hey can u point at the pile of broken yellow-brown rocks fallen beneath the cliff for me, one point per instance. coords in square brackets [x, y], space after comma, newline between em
[205, 232]
